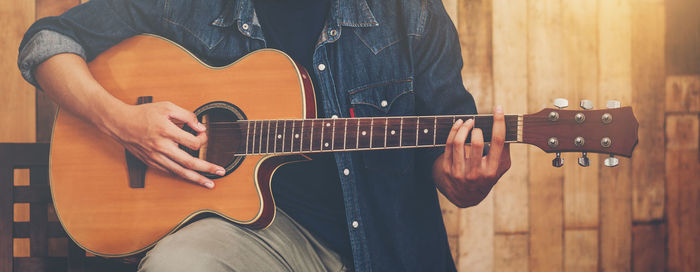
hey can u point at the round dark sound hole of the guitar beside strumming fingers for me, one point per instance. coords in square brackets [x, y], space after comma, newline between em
[224, 134]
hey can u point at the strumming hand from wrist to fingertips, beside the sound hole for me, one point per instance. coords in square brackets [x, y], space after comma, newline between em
[149, 131]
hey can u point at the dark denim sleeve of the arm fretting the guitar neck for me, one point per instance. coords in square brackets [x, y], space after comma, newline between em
[438, 81]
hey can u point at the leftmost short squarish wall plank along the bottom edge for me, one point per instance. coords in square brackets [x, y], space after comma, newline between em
[510, 252]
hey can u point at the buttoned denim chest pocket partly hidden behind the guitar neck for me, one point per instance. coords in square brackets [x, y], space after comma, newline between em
[386, 98]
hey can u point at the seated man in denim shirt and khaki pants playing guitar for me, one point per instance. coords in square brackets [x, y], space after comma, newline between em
[371, 210]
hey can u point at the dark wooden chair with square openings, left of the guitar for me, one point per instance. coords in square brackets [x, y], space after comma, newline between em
[36, 242]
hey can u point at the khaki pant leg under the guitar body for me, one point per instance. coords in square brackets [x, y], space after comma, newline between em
[214, 244]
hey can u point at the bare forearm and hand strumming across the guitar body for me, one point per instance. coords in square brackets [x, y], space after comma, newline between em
[148, 131]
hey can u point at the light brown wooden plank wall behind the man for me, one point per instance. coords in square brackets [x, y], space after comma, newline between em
[641, 216]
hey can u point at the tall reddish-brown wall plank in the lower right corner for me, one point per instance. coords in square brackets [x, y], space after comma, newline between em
[682, 163]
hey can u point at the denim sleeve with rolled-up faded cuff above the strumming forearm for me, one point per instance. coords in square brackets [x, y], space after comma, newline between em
[87, 30]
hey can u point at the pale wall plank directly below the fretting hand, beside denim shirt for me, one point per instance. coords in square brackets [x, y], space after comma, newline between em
[476, 237]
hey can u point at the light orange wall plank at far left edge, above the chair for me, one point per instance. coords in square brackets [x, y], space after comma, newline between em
[17, 113]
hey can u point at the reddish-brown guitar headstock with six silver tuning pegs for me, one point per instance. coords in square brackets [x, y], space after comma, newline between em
[610, 131]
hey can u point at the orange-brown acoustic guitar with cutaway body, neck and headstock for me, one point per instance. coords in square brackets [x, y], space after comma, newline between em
[260, 114]
